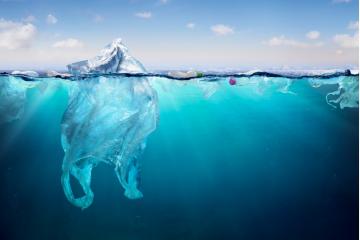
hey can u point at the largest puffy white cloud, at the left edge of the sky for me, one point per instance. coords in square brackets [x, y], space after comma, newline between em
[15, 35]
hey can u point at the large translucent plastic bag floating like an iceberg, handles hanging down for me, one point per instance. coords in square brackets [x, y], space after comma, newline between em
[107, 120]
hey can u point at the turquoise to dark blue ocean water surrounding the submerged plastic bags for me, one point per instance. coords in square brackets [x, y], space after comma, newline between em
[267, 158]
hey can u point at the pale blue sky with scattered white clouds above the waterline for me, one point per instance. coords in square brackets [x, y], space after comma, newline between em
[182, 34]
